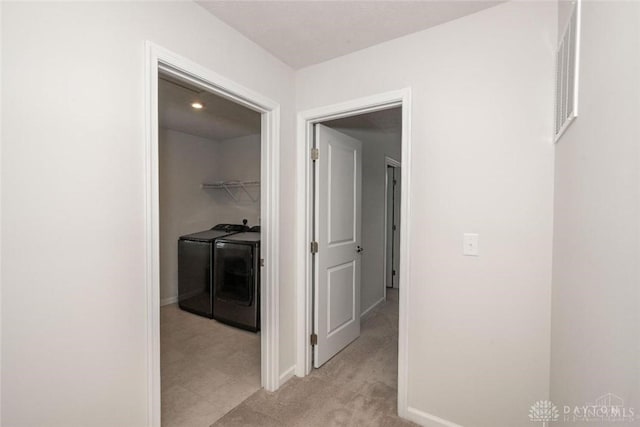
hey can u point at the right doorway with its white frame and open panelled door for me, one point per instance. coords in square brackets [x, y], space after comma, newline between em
[344, 273]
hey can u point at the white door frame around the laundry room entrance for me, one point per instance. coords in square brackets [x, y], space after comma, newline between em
[159, 59]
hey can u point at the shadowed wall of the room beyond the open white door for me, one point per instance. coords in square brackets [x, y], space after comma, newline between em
[376, 145]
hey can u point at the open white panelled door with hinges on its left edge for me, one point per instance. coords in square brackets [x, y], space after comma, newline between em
[338, 230]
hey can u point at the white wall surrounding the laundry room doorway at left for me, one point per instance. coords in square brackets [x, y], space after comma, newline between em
[73, 179]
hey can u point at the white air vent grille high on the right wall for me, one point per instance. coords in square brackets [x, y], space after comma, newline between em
[567, 74]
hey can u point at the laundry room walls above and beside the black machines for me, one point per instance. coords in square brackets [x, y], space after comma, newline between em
[187, 161]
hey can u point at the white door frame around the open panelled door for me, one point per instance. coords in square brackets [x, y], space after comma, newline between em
[304, 196]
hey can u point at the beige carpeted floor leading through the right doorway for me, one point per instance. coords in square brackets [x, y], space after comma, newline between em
[358, 387]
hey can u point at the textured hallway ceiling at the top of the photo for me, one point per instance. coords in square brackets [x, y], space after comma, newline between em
[307, 32]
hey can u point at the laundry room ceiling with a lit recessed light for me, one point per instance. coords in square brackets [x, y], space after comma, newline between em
[219, 120]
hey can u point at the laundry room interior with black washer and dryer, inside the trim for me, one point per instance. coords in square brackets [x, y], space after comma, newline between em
[209, 185]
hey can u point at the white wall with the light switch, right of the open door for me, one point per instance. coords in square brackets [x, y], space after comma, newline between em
[482, 90]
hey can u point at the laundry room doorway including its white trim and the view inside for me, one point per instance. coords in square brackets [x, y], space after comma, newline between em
[214, 189]
